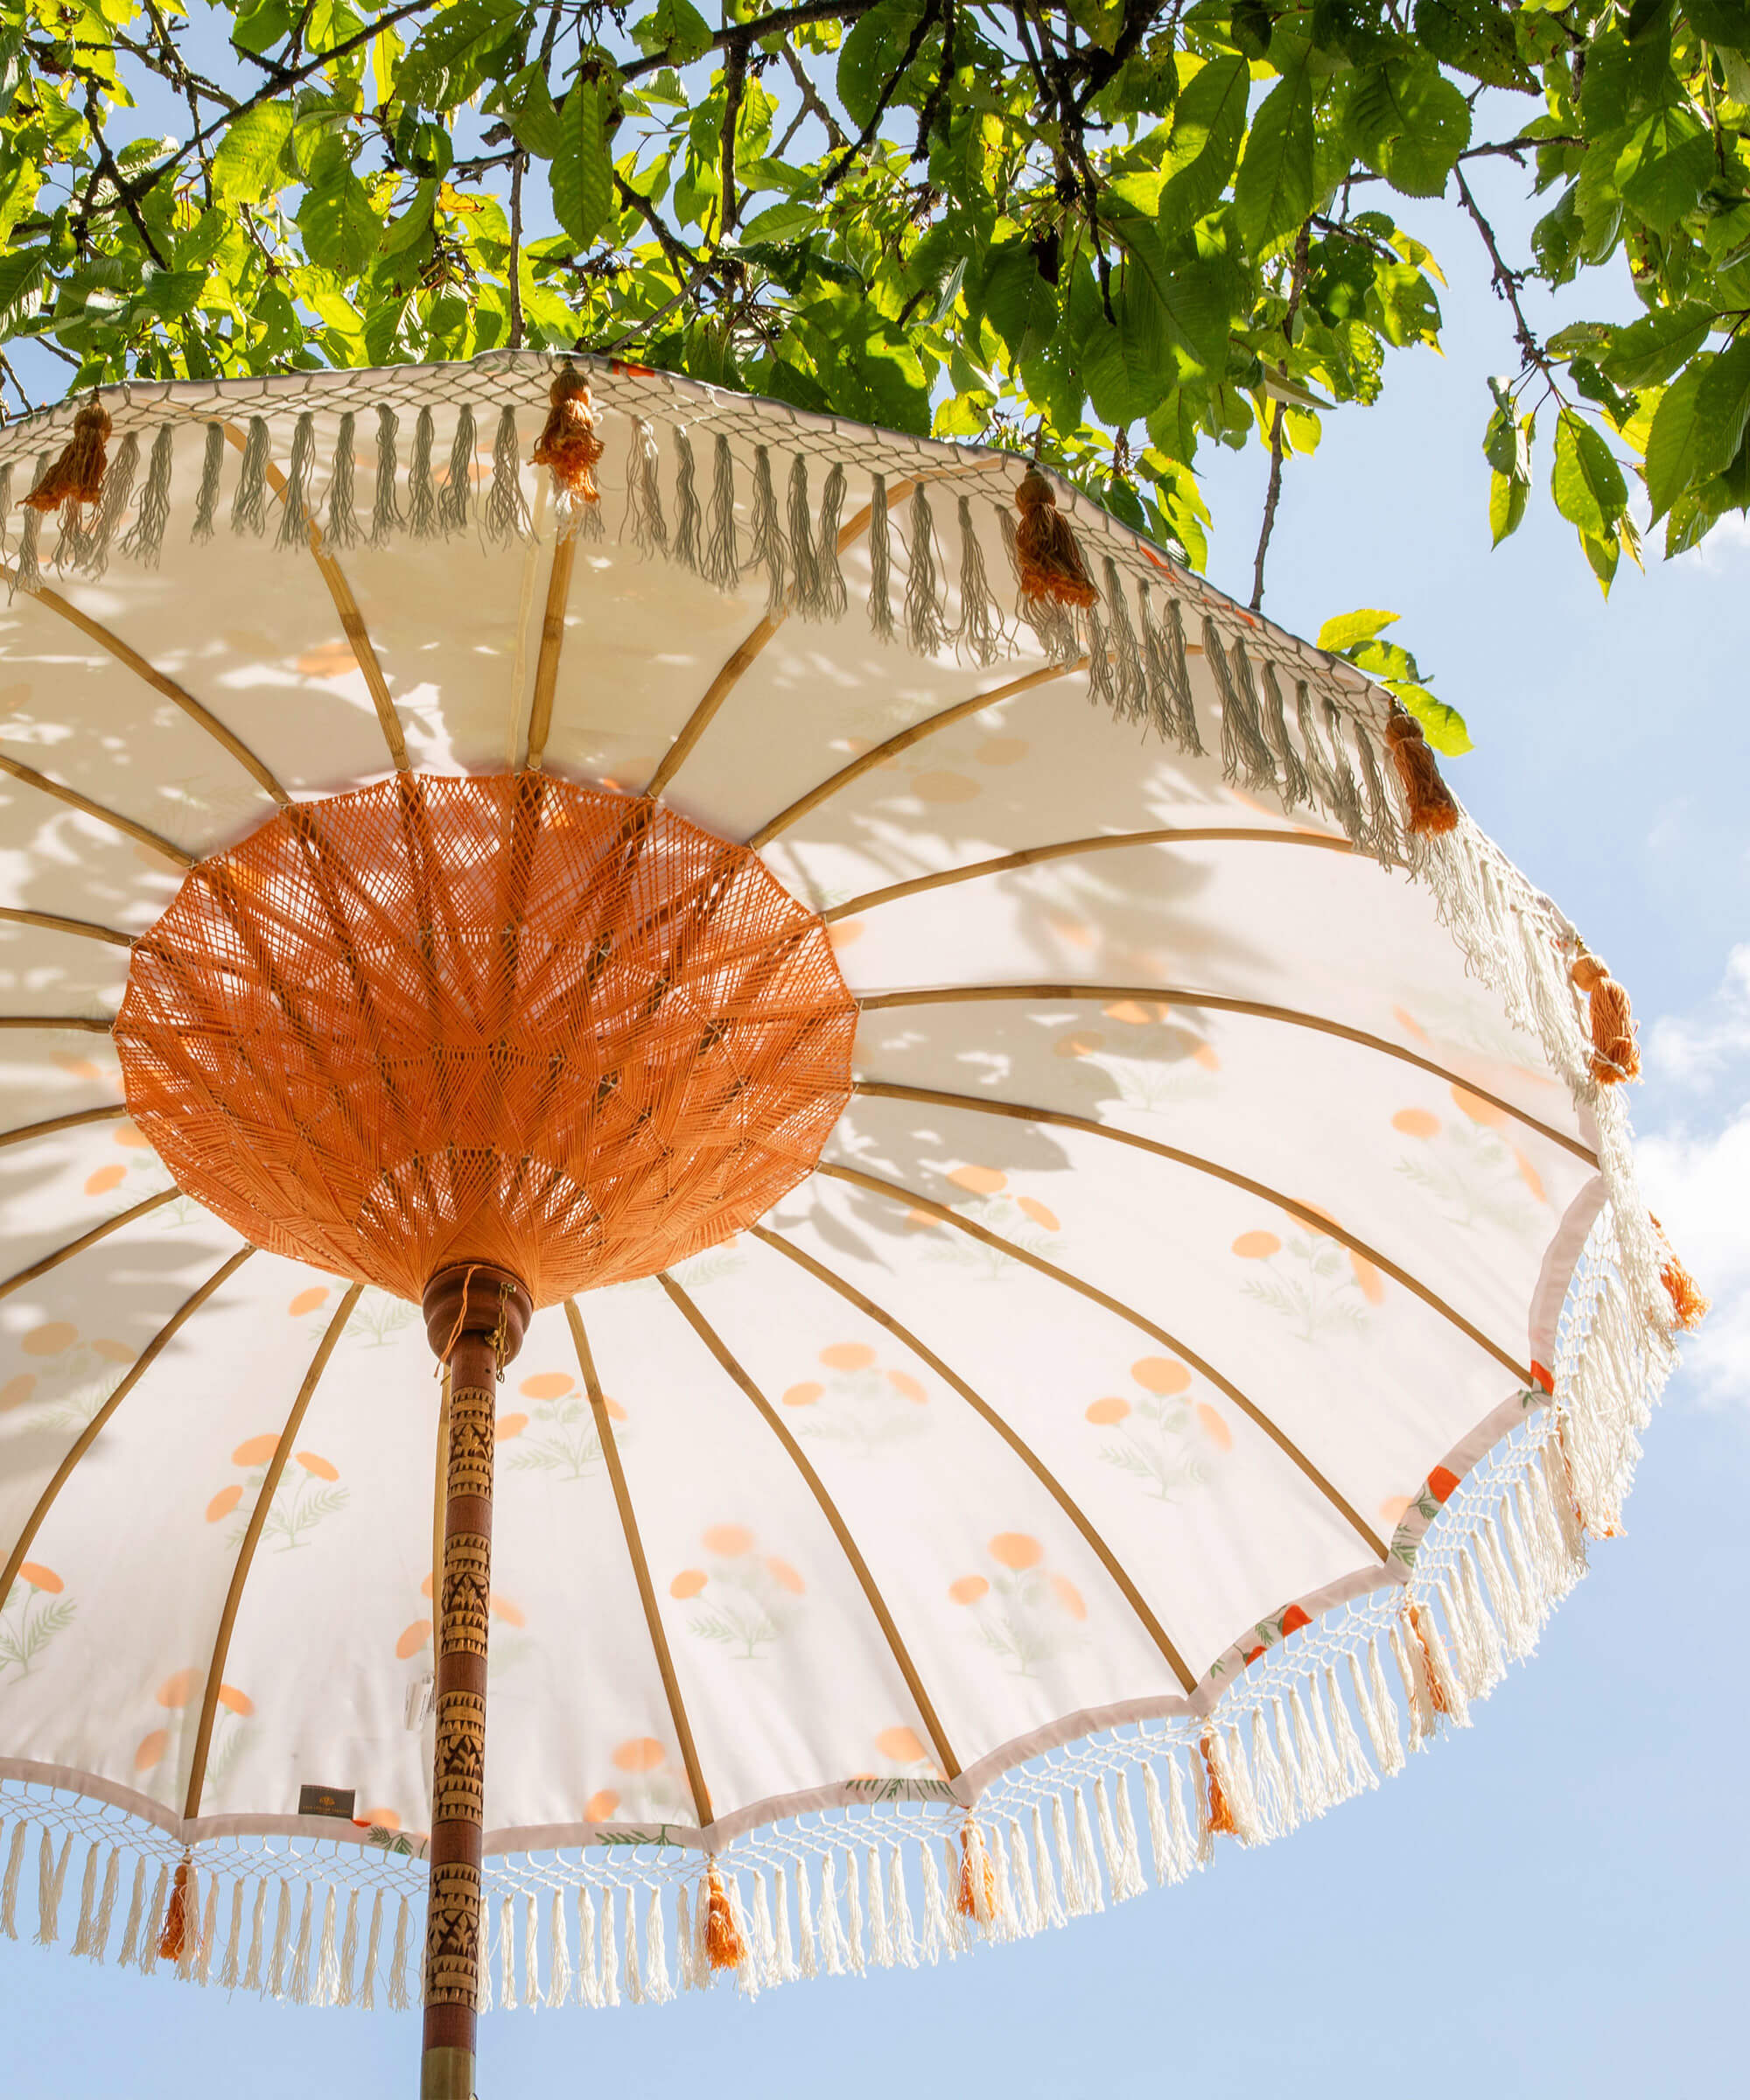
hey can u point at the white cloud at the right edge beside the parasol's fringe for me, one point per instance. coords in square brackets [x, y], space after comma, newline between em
[1696, 1173]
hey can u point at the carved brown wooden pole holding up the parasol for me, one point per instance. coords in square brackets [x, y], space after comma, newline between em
[476, 1322]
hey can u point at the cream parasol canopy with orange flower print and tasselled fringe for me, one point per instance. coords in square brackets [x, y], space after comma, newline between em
[1209, 1328]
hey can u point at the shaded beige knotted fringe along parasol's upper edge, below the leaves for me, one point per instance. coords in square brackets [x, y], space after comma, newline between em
[421, 488]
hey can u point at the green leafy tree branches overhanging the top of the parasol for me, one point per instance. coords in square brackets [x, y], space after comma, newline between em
[1112, 230]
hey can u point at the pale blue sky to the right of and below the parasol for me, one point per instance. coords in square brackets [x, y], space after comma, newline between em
[1549, 1902]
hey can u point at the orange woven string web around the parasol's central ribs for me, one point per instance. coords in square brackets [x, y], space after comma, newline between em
[486, 1020]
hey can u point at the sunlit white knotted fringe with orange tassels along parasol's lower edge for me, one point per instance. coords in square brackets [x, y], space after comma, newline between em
[1314, 1723]
